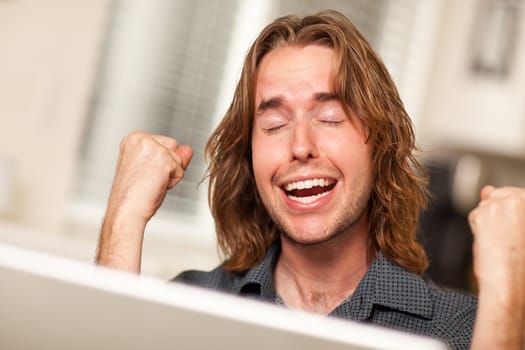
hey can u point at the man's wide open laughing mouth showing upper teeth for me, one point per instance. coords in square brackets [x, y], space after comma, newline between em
[308, 191]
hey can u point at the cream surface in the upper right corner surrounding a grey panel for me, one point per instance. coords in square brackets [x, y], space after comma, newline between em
[466, 111]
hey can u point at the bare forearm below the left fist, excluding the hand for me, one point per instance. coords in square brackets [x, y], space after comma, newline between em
[120, 243]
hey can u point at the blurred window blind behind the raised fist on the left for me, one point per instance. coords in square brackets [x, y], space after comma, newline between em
[160, 72]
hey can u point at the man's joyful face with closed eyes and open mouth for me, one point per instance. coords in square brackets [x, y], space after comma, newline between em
[312, 167]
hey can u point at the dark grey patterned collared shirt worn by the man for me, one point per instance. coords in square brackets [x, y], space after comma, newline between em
[387, 295]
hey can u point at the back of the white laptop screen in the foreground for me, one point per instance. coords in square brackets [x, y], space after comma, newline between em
[49, 302]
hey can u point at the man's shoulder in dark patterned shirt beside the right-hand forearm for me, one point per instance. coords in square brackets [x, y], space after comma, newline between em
[417, 304]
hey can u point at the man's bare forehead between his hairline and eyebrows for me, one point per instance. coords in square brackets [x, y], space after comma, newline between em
[294, 69]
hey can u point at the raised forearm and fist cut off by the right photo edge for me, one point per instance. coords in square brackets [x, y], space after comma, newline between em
[498, 225]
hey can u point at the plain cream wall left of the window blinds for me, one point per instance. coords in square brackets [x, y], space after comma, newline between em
[49, 56]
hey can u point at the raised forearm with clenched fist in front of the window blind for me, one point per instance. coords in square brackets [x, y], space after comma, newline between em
[148, 167]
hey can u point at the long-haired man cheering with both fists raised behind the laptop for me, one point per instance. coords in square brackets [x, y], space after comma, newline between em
[315, 193]
